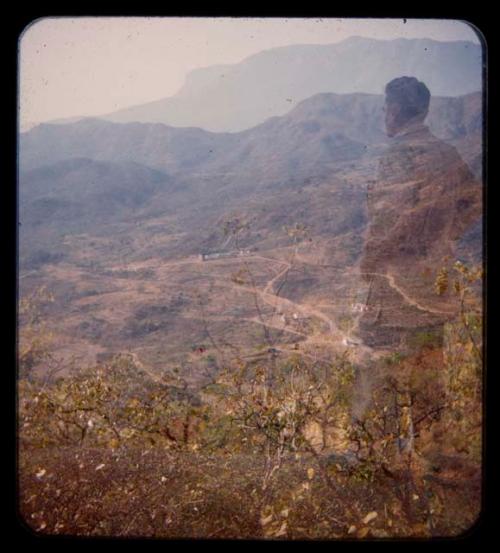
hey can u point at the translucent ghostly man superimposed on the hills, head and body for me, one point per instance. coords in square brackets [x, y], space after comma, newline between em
[423, 200]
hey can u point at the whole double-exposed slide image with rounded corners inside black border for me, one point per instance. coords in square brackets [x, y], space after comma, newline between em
[250, 278]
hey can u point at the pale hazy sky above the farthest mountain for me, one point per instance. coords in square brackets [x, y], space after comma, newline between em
[92, 66]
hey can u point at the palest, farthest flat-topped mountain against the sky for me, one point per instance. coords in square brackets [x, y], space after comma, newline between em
[230, 98]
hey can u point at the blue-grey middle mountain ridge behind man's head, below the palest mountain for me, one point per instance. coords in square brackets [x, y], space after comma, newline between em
[308, 141]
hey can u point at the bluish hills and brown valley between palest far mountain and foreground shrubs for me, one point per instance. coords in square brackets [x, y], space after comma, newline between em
[115, 216]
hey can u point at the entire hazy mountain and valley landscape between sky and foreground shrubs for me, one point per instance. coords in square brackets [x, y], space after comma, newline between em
[114, 213]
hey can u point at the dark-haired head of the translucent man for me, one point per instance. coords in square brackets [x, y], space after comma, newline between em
[406, 101]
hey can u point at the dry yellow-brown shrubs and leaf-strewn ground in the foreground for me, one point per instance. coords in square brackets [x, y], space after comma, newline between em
[273, 448]
